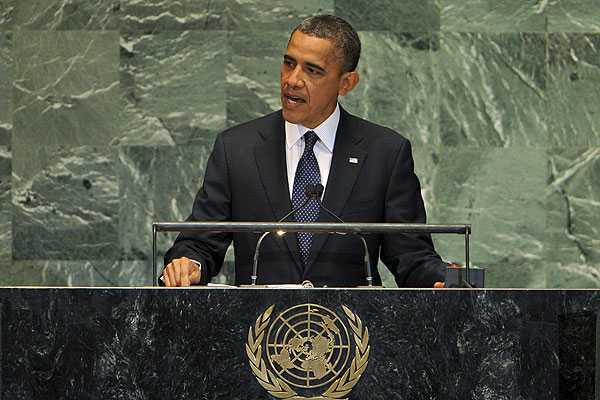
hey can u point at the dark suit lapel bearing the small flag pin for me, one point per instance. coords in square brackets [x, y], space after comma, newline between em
[349, 147]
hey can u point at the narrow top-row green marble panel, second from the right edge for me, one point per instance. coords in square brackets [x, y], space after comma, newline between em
[493, 15]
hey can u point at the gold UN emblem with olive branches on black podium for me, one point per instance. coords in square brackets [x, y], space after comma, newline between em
[308, 349]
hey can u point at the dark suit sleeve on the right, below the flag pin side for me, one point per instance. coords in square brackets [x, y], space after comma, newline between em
[411, 258]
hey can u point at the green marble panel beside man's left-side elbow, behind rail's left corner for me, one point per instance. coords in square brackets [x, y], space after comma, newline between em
[156, 184]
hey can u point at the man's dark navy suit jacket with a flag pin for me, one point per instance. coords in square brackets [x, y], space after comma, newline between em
[246, 180]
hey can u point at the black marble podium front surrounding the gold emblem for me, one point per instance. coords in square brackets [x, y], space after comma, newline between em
[190, 343]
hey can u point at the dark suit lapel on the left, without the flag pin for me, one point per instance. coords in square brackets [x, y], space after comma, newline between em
[271, 162]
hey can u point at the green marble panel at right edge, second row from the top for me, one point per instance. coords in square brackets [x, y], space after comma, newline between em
[573, 89]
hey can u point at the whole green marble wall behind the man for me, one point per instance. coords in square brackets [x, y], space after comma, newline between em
[108, 110]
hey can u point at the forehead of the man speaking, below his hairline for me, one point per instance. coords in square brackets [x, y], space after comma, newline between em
[304, 47]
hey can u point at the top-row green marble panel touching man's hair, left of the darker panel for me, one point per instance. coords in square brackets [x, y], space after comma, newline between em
[273, 14]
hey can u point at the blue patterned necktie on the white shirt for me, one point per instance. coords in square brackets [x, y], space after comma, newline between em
[307, 173]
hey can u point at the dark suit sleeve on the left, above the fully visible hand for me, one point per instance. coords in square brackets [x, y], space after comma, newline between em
[212, 203]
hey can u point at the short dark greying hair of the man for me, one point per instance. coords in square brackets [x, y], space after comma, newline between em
[339, 31]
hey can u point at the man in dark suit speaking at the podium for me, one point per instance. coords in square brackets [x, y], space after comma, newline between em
[258, 171]
